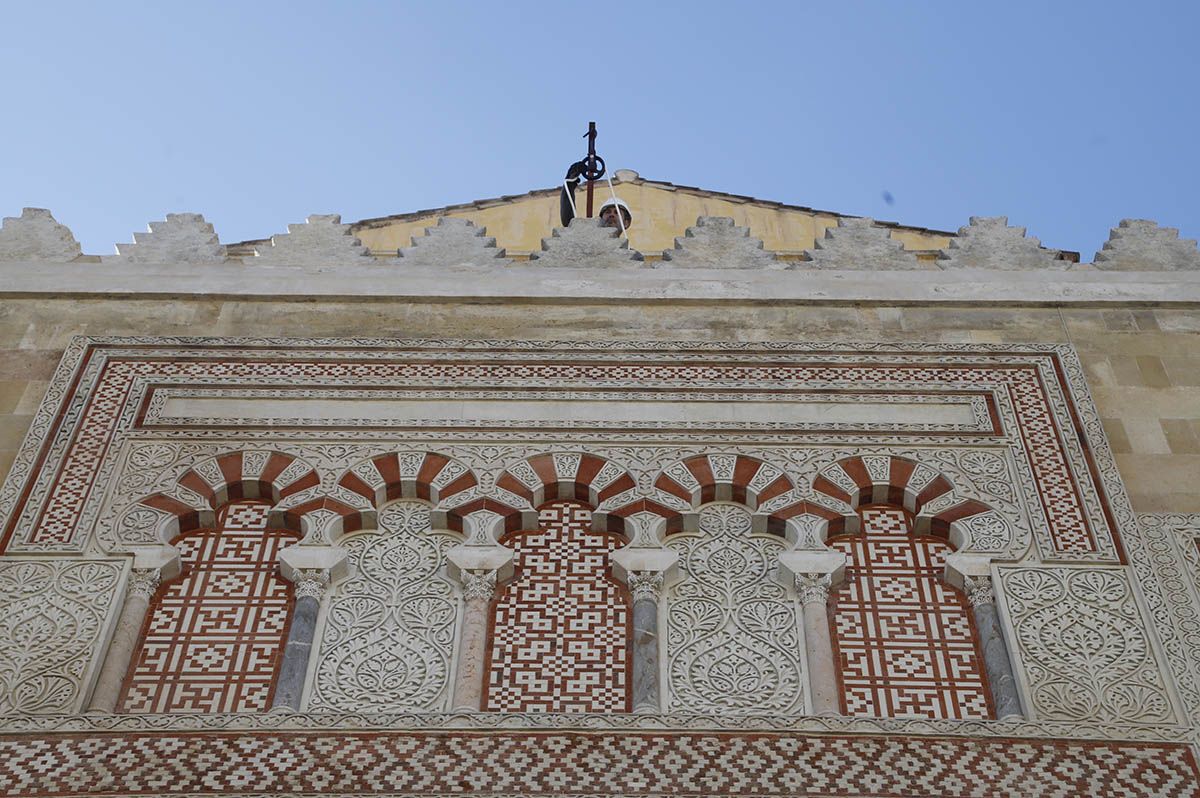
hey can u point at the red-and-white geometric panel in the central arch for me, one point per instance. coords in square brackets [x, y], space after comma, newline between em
[561, 629]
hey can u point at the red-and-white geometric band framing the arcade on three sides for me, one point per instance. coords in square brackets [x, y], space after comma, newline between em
[1046, 448]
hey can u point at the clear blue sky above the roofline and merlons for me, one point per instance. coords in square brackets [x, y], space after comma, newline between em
[1064, 117]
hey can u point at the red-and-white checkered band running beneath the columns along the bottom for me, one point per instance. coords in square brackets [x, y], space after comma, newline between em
[517, 765]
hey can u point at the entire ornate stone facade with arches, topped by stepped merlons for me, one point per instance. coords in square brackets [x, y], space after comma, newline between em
[431, 541]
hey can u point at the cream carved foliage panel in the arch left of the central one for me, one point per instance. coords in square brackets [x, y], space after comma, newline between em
[389, 632]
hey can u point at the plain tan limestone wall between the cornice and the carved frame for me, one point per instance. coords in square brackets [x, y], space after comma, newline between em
[1143, 364]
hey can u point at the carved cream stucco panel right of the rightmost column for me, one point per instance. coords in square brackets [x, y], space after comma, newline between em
[1083, 645]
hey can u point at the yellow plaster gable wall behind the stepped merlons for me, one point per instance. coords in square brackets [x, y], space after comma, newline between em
[662, 214]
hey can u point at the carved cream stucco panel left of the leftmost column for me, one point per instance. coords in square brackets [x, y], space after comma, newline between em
[51, 629]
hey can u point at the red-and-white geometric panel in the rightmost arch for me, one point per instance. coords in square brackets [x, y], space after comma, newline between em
[904, 639]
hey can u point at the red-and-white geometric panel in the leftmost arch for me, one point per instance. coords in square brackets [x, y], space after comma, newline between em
[214, 637]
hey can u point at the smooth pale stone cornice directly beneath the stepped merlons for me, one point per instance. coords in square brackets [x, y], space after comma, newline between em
[637, 284]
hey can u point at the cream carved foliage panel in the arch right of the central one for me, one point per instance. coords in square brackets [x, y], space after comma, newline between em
[734, 641]
